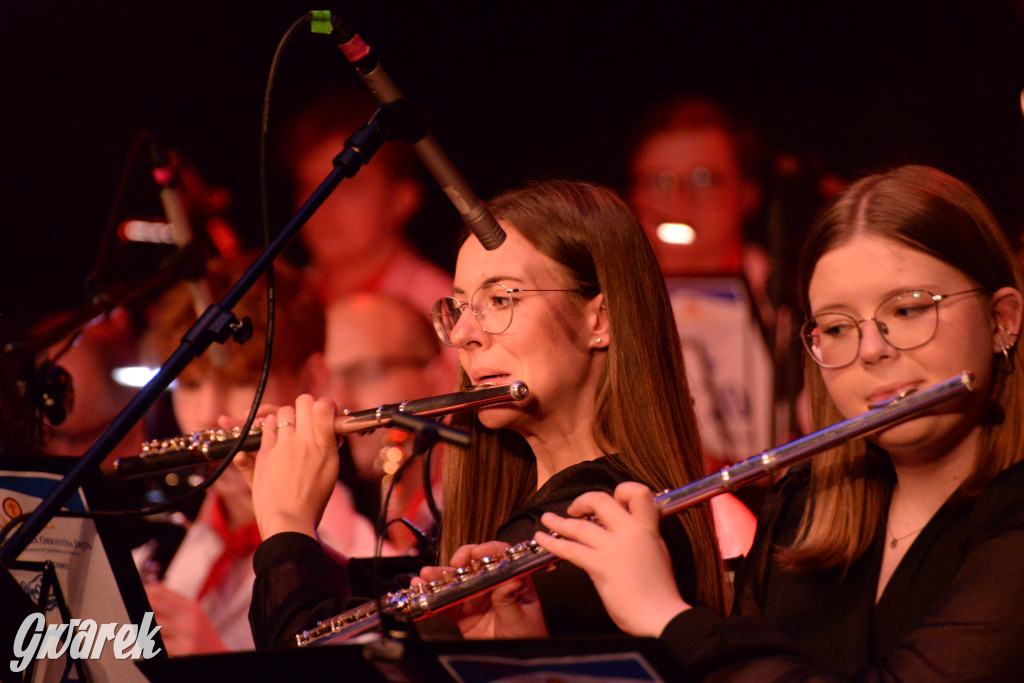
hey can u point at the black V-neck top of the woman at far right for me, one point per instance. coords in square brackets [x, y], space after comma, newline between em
[953, 610]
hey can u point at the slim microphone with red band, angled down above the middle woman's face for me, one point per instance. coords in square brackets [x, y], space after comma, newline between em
[475, 215]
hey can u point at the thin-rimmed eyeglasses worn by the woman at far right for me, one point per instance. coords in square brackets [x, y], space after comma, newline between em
[906, 321]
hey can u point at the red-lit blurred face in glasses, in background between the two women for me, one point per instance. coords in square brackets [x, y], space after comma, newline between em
[692, 177]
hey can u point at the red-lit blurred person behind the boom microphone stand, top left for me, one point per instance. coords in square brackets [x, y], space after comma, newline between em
[356, 241]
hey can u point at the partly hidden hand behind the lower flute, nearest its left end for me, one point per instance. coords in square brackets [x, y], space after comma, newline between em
[511, 611]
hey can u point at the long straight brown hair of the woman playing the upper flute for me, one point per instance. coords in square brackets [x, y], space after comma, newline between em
[644, 407]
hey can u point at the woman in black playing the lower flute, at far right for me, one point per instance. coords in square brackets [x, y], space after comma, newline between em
[892, 559]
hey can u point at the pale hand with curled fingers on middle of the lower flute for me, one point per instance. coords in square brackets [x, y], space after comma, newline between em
[623, 553]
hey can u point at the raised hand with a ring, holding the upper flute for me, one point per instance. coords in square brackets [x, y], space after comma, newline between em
[294, 473]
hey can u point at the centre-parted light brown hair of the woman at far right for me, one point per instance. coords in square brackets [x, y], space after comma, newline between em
[934, 214]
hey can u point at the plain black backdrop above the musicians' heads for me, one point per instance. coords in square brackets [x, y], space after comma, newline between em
[514, 91]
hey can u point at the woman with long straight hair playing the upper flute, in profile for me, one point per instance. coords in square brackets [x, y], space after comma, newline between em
[574, 306]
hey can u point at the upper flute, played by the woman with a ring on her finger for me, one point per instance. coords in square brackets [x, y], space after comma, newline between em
[188, 450]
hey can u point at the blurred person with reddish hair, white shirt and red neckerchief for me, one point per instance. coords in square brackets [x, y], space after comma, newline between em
[203, 602]
